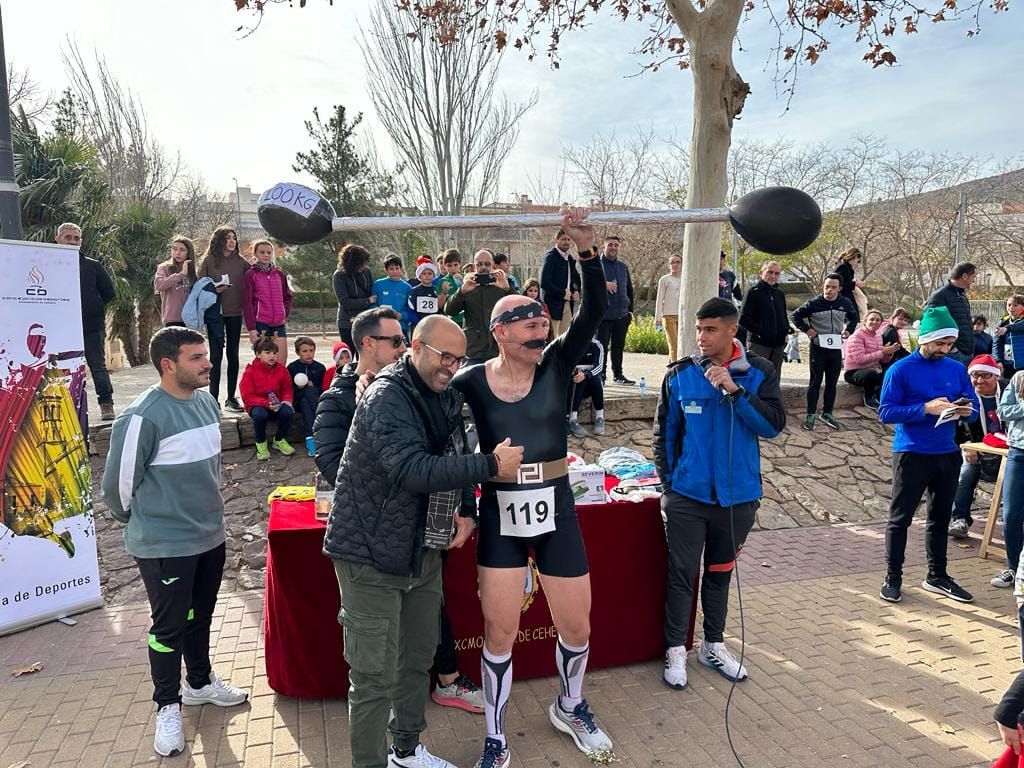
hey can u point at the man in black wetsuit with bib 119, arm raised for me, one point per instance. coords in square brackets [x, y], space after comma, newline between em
[521, 395]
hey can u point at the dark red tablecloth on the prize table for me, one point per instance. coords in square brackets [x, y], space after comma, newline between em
[304, 642]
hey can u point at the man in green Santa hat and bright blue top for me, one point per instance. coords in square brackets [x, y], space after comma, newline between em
[917, 391]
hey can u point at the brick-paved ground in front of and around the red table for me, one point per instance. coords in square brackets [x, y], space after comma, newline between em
[838, 678]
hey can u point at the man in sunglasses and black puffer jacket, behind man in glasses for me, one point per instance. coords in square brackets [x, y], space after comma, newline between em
[378, 338]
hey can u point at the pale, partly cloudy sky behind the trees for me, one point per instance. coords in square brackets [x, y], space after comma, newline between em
[235, 106]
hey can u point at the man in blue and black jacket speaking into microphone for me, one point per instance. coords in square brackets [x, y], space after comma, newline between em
[713, 408]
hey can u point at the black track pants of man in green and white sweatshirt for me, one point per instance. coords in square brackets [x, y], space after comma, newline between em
[183, 594]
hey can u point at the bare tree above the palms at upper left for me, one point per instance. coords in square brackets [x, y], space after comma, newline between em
[139, 169]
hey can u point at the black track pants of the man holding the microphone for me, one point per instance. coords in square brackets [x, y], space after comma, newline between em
[693, 530]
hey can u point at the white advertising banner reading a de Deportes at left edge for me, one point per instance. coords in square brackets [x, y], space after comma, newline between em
[49, 566]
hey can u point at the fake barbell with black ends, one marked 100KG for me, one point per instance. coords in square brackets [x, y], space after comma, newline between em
[776, 220]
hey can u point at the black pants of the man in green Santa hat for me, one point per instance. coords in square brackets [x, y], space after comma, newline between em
[914, 475]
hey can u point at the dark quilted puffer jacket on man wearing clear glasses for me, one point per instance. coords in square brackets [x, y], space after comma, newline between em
[393, 462]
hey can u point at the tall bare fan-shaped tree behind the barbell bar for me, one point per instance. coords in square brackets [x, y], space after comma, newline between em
[438, 103]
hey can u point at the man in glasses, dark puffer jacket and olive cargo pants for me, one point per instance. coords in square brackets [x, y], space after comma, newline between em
[406, 454]
